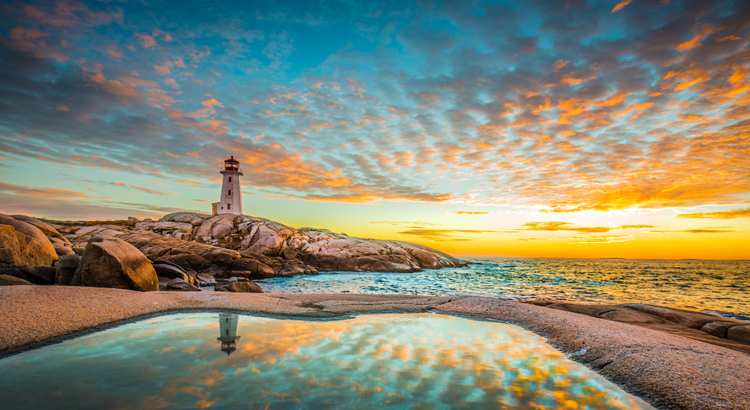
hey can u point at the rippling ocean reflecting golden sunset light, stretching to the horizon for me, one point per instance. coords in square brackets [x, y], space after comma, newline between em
[721, 287]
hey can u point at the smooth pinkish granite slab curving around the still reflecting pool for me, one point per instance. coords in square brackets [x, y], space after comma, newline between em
[668, 370]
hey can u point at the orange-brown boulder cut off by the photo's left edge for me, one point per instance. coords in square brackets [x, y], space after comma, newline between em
[19, 249]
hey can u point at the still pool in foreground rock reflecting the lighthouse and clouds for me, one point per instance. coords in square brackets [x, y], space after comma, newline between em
[229, 361]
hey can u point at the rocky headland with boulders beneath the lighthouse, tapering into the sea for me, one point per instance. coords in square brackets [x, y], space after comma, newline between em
[190, 249]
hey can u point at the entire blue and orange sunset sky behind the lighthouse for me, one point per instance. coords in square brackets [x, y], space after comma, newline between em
[536, 128]
